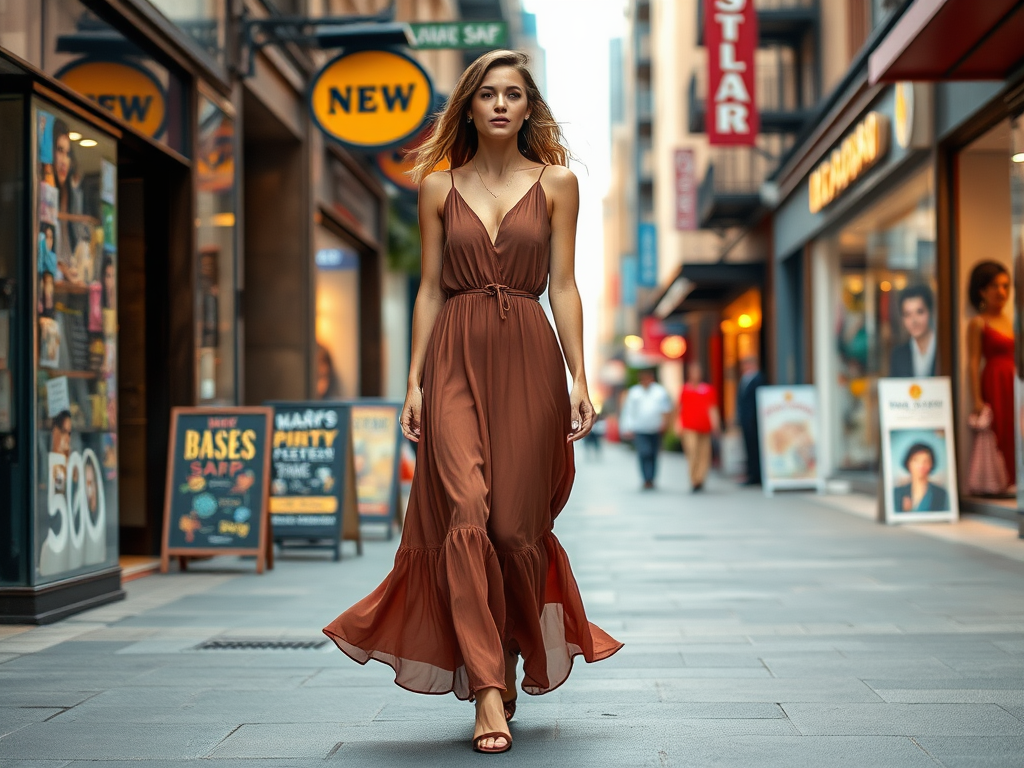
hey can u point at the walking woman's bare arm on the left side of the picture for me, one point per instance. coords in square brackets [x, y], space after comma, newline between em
[430, 300]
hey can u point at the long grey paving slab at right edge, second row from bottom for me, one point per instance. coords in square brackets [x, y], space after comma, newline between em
[904, 720]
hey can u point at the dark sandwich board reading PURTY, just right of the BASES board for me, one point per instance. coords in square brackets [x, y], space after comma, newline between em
[313, 477]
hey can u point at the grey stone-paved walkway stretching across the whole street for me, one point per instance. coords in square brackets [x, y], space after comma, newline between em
[760, 634]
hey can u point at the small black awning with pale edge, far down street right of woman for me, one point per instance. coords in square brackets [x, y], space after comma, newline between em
[711, 287]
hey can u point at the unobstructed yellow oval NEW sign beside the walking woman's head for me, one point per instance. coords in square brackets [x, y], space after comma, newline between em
[371, 100]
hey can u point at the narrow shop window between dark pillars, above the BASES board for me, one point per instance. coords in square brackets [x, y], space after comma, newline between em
[216, 271]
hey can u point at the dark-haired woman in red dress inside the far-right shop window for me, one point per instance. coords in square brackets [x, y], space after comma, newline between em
[991, 355]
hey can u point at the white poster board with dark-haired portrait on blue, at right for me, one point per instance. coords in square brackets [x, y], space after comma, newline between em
[917, 421]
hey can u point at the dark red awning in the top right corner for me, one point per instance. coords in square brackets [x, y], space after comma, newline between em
[952, 40]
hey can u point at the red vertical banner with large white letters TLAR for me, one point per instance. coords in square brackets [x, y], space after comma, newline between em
[732, 37]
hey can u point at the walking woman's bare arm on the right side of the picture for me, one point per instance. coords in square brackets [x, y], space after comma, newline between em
[566, 304]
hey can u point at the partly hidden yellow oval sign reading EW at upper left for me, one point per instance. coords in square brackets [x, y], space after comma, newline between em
[127, 90]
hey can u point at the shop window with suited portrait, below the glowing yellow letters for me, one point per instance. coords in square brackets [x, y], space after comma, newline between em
[877, 285]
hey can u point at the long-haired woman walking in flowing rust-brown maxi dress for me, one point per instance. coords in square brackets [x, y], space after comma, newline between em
[480, 579]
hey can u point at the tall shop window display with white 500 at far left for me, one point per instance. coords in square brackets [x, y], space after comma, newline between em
[76, 487]
